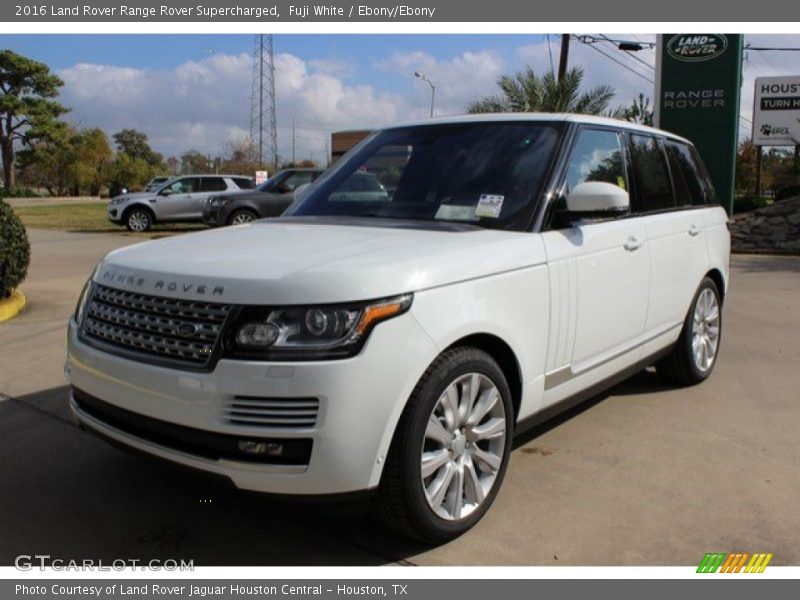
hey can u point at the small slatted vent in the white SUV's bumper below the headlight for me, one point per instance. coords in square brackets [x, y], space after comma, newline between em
[285, 413]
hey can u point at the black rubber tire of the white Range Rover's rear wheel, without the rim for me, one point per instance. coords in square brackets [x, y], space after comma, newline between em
[680, 365]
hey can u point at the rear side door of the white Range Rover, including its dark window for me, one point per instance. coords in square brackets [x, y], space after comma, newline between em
[667, 198]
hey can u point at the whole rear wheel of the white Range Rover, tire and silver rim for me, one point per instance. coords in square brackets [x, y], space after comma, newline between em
[695, 353]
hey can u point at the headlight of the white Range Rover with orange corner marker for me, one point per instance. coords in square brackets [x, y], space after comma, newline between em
[308, 332]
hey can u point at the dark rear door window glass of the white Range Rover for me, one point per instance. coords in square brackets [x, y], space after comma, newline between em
[654, 189]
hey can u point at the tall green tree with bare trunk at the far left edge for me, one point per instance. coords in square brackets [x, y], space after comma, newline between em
[28, 112]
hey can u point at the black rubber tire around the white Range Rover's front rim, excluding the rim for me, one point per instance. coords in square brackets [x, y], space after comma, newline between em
[400, 503]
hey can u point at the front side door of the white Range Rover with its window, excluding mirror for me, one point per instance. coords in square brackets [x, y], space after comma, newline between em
[599, 274]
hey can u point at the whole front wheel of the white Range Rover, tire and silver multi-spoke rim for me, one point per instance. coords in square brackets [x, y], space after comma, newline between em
[450, 450]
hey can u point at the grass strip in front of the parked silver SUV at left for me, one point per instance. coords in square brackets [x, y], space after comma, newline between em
[90, 217]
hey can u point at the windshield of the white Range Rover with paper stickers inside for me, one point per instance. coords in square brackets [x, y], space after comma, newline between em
[488, 174]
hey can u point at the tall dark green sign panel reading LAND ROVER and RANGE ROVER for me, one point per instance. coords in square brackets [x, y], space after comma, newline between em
[698, 87]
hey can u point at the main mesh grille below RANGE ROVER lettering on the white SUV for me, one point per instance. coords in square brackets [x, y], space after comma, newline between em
[178, 331]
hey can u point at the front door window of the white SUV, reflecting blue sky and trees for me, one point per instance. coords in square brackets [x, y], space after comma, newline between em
[597, 156]
